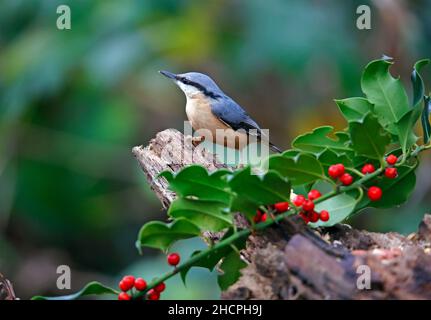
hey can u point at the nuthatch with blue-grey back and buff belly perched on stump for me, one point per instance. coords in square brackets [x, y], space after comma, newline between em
[208, 107]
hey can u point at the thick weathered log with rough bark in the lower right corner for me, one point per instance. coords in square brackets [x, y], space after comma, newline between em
[297, 268]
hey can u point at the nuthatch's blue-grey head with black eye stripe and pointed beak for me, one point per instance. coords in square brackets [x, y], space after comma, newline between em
[195, 82]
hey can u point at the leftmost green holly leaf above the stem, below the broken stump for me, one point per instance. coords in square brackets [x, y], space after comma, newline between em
[159, 235]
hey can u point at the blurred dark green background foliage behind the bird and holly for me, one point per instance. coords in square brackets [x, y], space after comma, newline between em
[73, 103]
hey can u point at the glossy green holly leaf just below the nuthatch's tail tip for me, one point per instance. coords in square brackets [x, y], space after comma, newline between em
[300, 169]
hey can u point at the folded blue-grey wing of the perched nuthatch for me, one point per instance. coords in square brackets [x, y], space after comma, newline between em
[233, 115]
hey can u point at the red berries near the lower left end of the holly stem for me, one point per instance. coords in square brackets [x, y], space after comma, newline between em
[128, 285]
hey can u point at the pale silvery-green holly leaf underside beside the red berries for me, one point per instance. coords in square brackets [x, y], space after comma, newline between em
[339, 208]
